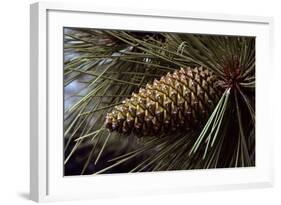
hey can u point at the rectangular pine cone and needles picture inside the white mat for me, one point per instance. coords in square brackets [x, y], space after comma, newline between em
[147, 101]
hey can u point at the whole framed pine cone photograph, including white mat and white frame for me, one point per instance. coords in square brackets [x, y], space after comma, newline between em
[127, 102]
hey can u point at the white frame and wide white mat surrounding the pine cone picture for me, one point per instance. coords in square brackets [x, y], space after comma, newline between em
[47, 182]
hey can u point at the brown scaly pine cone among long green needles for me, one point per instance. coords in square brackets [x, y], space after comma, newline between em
[179, 101]
